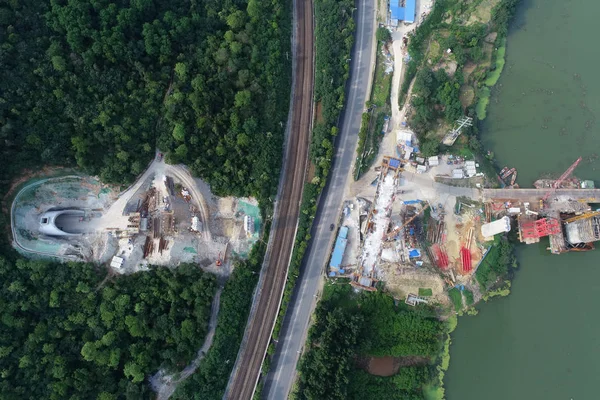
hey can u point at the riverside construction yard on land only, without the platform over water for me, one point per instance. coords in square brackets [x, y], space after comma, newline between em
[408, 234]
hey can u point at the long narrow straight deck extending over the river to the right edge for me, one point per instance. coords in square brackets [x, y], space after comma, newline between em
[588, 195]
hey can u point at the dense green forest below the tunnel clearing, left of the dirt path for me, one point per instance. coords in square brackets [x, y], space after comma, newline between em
[67, 333]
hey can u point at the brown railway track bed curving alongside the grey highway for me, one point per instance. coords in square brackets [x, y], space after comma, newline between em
[260, 324]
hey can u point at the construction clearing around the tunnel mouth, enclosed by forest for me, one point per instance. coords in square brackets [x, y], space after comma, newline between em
[166, 217]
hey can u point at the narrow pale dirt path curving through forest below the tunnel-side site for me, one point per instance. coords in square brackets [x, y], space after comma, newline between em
[165, 385]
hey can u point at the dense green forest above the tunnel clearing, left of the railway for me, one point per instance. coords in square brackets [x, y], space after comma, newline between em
[103, 83]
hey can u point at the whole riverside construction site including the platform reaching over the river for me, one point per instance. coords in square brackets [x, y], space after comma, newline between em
[403, 228]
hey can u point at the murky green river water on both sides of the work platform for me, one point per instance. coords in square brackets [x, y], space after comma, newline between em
[542, 341]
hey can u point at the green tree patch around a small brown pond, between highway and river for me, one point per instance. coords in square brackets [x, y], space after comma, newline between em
[348, 326]
